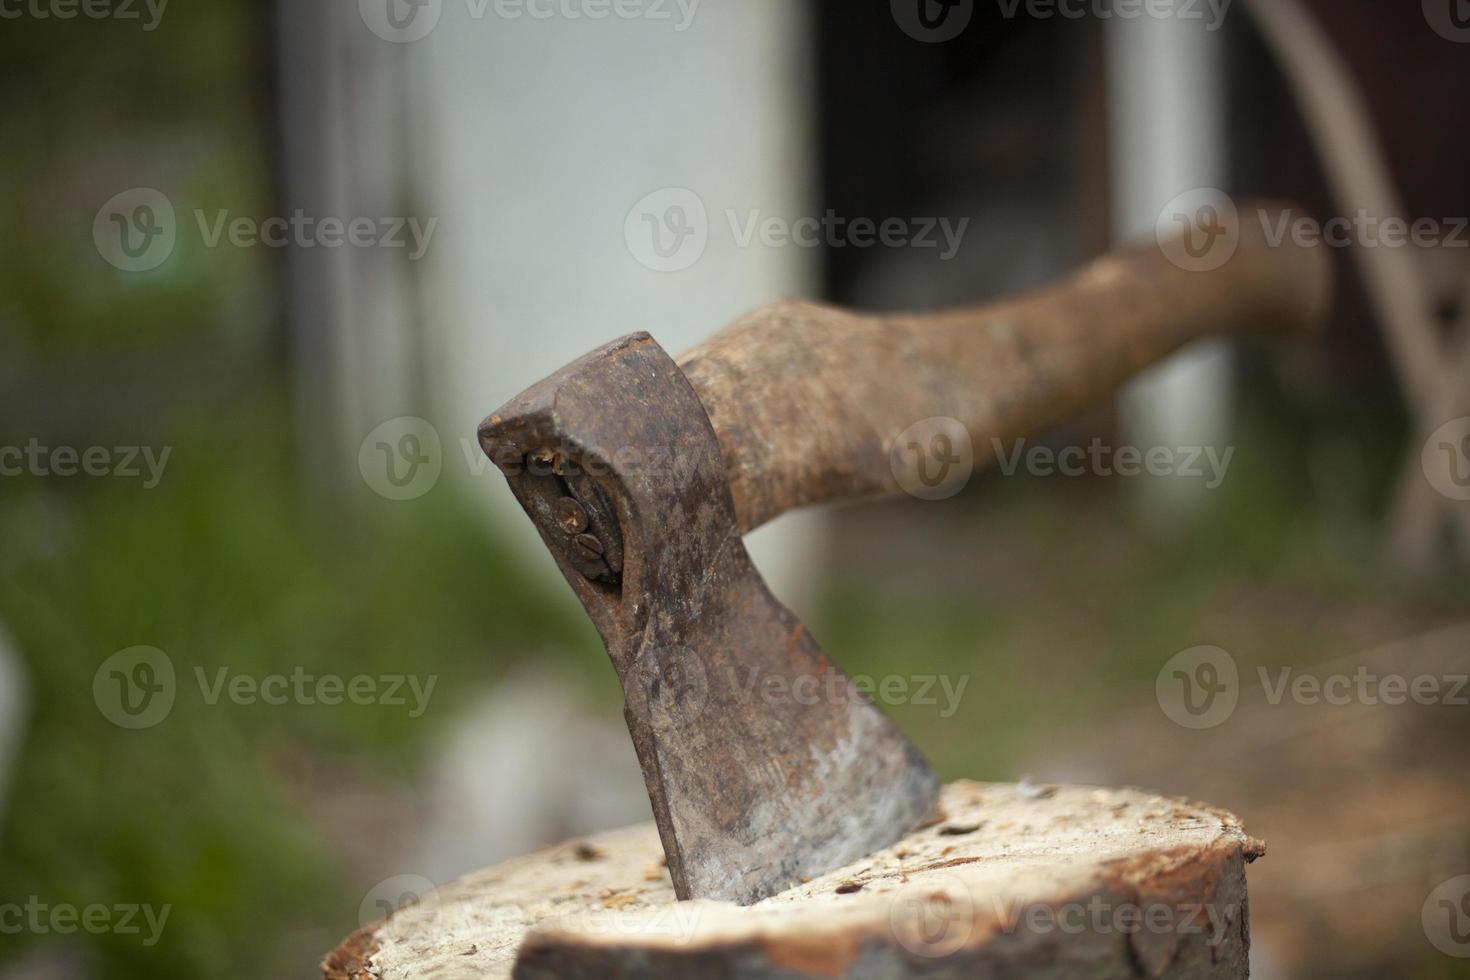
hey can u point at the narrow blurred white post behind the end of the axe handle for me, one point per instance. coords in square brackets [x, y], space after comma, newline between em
[1166, 104]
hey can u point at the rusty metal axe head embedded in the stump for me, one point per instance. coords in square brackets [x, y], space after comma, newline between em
[764, 763]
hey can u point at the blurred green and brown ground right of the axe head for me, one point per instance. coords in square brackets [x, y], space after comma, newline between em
[1064, 609]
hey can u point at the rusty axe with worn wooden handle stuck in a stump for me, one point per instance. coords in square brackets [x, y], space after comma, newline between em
[764, 763]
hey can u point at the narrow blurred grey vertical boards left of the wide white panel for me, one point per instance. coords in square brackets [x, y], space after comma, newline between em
[351, 309]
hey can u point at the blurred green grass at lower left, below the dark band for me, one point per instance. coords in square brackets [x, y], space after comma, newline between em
[227, 566]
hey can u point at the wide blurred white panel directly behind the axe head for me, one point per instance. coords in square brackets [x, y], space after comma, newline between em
[533, 140]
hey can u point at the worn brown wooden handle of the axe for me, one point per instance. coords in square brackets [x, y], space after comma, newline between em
[808, 400]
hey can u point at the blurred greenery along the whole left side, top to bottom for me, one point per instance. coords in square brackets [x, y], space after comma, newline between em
[229, 562]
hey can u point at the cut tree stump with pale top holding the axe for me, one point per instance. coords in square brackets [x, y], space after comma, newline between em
[1008, 881]
